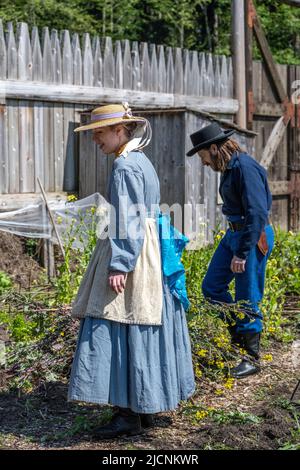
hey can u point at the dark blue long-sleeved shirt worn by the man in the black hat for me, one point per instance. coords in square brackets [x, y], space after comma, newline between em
[245, 193]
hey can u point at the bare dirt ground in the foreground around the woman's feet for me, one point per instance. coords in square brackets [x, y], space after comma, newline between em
[44, 420]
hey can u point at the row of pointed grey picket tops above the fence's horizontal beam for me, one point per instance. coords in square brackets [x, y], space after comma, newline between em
[96, 62]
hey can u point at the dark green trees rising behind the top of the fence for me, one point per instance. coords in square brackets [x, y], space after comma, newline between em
[203, 25]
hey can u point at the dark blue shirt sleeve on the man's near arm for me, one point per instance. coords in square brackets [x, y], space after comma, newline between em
[255, 203]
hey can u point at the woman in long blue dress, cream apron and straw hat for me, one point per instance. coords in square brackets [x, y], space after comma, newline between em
[133, 349]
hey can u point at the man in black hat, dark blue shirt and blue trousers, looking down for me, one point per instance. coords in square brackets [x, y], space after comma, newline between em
[243, 251]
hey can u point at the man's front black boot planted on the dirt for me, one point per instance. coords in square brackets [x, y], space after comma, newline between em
[248, 366]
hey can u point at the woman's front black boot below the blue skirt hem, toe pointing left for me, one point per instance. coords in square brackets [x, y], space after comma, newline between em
[123, 423]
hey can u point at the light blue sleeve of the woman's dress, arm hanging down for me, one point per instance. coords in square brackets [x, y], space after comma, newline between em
[127, 226]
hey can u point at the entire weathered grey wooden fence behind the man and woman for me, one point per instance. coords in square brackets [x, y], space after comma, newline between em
[47, 80]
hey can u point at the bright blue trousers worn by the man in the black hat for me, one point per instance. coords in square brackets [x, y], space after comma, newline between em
[249, 285]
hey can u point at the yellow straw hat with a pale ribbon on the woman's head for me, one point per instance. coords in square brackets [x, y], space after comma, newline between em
[110, 115]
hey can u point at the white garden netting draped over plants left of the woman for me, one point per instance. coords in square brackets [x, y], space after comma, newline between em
[73, 219]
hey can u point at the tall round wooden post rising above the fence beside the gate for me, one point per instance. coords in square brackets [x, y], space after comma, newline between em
[239, 63]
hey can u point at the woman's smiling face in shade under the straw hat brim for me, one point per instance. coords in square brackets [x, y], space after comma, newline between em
[109, 139]
